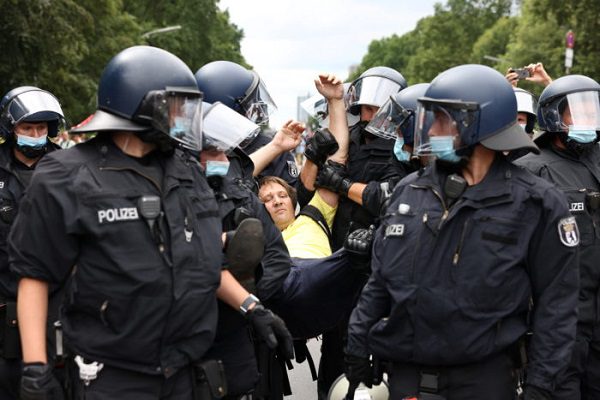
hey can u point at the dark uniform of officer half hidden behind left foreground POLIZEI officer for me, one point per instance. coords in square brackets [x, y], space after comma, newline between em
[233, 343]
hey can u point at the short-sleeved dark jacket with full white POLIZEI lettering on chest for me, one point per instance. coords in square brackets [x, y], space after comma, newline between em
[141, 291]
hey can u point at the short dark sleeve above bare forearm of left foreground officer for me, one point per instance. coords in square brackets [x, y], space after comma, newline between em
[42, 243]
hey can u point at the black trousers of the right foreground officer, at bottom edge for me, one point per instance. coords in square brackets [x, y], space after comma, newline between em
[490, 379]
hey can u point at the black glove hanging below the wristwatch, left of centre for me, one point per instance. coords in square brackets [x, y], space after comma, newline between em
[271, 329]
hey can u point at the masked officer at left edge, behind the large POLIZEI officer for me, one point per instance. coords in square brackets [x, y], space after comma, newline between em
[28, 117]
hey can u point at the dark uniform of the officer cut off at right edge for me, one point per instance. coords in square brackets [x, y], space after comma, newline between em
[579, 179]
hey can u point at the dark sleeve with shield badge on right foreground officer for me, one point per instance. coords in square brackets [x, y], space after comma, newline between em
[553, 271]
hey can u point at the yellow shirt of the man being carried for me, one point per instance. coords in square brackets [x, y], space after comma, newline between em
[304, 238]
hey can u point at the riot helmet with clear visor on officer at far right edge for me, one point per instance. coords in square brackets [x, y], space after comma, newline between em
[579, 93]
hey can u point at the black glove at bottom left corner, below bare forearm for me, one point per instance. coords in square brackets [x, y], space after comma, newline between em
[38, 383]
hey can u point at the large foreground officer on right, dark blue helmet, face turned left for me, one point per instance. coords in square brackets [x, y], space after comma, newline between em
[463, 247]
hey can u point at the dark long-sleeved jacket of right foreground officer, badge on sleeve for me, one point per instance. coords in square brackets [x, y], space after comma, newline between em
[451, 286]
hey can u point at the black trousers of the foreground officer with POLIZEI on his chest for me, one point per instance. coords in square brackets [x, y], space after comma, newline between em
[115, 383]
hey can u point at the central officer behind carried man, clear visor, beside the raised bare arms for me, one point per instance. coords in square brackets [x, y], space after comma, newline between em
[368, 172]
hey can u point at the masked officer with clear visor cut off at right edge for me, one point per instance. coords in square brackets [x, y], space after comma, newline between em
[569, 114]
